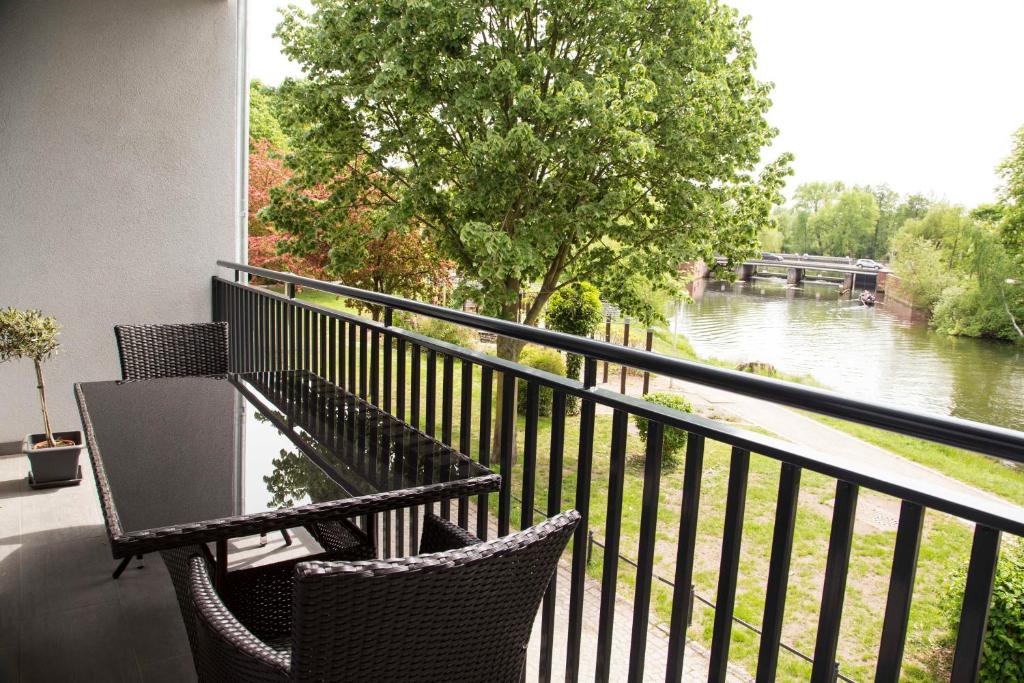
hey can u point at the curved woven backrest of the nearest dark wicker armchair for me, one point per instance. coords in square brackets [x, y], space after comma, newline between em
[463, 615]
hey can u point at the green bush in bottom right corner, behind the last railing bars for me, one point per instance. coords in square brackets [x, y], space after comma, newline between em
[1003, 654]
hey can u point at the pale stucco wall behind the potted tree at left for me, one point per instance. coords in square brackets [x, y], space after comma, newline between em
[119, 177]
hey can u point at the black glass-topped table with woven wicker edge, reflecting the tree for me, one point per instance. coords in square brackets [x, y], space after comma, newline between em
[205, 459]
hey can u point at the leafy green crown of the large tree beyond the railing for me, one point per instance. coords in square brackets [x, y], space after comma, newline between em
[537, 143]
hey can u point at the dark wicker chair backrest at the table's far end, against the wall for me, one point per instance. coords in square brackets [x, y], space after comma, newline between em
[149, 352]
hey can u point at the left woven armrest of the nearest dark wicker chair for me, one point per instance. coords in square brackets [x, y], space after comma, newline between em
[225, 649]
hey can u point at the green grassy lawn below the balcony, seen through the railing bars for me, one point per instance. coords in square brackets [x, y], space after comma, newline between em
[946, 545]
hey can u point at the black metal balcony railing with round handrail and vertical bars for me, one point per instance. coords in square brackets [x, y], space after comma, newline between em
[386, 365]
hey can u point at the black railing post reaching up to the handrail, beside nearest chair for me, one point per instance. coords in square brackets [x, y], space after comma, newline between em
[584, 463]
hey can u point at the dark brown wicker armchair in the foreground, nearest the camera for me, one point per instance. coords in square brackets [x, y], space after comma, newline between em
[463, 612]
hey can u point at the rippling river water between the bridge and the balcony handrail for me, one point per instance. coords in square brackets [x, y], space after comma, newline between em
[864, 353]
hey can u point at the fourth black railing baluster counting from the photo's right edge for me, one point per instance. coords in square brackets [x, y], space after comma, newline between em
[779, 571]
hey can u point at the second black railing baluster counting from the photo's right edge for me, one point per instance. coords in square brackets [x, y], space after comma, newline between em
[912, 521]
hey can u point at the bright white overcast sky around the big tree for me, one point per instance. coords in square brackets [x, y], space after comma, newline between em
[922, 95]
